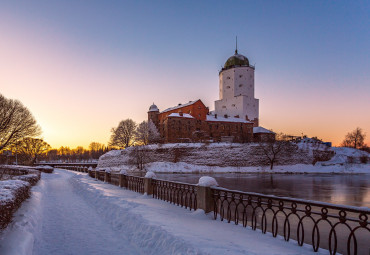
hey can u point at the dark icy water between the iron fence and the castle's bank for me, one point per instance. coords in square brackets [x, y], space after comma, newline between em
[341, 189]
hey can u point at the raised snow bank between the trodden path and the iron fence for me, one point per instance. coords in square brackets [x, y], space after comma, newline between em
[158, 227]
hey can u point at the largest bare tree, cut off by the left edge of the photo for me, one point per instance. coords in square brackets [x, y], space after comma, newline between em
[16, 122]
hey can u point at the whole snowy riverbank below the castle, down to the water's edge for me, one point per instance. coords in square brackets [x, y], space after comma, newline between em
[233, 158]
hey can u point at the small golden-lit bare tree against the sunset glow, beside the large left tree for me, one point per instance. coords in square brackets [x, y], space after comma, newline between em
[31, 148]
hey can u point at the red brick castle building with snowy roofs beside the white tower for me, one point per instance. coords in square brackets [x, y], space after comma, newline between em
[192, 122]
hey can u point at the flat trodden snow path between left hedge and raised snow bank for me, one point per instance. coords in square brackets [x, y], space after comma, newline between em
[71, 226]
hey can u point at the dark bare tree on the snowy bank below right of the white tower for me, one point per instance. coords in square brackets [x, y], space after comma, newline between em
[273, 149]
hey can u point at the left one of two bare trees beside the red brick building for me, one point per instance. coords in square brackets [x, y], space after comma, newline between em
[123, 135]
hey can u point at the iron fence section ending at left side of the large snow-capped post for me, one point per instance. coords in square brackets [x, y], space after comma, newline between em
[181, 194]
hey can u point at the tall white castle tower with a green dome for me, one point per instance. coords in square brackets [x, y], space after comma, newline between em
[237, 90]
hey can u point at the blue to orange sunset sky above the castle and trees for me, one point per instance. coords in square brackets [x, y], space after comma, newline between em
[83, 66]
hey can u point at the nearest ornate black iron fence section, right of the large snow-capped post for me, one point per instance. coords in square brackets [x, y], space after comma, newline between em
[336, 228]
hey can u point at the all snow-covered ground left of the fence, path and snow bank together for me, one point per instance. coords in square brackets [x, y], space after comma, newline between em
[70, 213]
